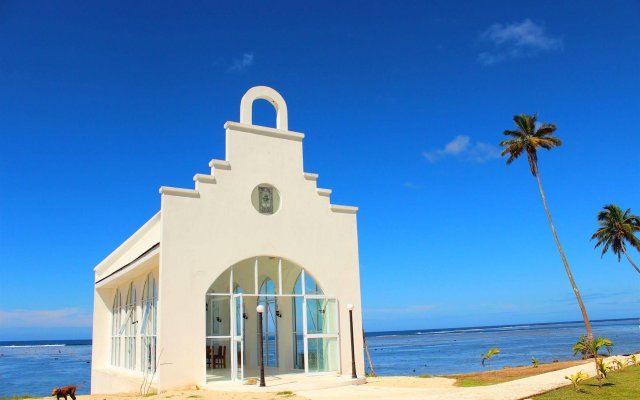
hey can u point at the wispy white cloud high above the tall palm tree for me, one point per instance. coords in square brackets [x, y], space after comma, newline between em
[516, 40]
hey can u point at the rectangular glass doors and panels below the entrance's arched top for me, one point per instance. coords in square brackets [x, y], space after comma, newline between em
[311, 332]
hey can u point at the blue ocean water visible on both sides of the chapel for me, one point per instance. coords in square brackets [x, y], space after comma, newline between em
[36, 367]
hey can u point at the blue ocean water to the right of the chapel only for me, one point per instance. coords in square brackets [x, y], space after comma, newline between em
[455, 351]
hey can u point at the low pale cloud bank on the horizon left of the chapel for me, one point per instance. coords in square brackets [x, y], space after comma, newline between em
[60, 318]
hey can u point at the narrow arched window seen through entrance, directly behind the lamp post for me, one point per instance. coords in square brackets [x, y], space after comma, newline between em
[269, 323]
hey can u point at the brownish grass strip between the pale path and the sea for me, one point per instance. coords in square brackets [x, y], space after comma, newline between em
[509, 374]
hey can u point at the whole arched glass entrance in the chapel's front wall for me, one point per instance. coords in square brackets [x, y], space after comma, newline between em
[299, 323]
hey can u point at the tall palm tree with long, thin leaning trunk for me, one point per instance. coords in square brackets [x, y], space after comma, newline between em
[529, 138]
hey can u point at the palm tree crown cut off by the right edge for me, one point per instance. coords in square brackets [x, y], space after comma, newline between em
[616, 229]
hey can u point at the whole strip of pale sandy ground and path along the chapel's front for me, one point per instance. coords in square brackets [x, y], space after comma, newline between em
[399, 387]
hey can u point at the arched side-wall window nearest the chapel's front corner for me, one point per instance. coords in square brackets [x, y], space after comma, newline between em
[148, 324]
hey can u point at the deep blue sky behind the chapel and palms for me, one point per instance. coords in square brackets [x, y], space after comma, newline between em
[402, 106]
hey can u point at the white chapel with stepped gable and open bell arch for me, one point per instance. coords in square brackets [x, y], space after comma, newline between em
[175, 304]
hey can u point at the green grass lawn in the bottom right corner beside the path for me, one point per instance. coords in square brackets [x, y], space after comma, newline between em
[623, 384]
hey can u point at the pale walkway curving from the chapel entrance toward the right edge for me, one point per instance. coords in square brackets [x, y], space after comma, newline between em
[442, 389]
